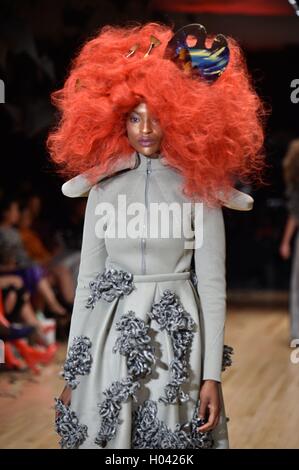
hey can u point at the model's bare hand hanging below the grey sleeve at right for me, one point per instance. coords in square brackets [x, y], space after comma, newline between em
[210, 405]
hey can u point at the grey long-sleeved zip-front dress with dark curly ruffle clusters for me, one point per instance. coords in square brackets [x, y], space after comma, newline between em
[145, 332]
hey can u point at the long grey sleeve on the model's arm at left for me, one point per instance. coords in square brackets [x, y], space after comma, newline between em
[92, 262]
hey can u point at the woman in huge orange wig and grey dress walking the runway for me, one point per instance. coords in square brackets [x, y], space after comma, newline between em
[152, 121]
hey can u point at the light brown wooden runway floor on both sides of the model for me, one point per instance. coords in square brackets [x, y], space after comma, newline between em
[260, 389]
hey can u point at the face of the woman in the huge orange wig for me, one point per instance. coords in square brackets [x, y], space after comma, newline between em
[144, 131]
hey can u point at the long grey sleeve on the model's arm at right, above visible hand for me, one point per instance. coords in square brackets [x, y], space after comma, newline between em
[209, 258]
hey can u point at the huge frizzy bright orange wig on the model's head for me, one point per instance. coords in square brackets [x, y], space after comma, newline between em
[213, 133]
